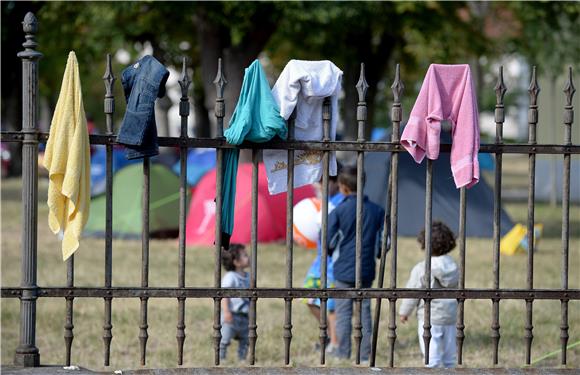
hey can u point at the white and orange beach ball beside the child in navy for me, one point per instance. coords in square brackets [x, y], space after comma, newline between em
[306, 226]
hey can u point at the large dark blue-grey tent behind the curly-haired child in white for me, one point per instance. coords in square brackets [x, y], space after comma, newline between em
[411, 197]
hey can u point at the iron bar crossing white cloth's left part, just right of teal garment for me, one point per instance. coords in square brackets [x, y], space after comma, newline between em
[289, 243]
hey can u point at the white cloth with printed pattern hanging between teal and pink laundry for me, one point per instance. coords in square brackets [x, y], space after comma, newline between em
[303, 85]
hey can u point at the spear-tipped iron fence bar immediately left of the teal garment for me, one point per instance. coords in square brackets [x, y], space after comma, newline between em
[220, 108]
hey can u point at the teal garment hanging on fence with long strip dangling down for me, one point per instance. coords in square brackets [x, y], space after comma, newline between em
[256, 118]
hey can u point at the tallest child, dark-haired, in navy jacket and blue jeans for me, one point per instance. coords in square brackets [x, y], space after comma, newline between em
[342, 247]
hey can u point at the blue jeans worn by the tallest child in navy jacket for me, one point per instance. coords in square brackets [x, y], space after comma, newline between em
[344, 323]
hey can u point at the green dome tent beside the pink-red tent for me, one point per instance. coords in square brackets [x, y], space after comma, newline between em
[127, 204]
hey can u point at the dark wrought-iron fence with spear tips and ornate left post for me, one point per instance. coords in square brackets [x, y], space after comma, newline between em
[27, 353]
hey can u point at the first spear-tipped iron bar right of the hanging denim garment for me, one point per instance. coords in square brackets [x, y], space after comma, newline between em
[184, 114]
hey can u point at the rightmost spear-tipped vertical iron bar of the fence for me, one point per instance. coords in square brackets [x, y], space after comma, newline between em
[569, 90]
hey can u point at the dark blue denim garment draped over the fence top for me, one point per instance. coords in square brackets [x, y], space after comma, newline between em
[142, 82]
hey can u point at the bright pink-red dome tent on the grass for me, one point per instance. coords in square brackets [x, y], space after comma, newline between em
[200, 227]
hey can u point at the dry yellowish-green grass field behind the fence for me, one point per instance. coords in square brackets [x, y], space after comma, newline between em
[162, 345]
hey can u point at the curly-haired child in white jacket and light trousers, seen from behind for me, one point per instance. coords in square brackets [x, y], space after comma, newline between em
[444, 274]
